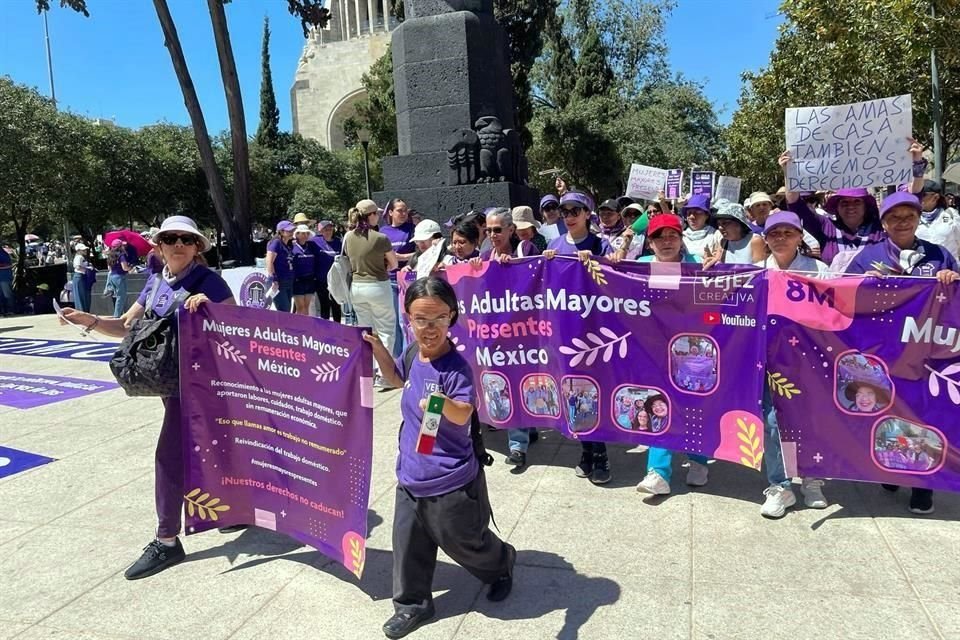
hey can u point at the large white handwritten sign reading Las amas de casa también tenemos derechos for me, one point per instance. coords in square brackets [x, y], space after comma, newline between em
[850, 146]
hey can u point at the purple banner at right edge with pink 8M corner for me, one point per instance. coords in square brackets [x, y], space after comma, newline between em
[880, 359]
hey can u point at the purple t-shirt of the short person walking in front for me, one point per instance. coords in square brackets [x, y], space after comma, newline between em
[452, 463]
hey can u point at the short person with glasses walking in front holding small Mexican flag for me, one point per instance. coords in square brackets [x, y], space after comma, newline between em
[441, 496]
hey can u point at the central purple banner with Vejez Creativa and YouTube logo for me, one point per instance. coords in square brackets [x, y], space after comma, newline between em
[660, 354]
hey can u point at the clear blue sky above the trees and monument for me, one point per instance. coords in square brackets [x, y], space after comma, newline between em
[114, 65]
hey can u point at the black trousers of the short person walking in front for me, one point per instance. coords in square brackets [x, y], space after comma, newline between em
[458, 523]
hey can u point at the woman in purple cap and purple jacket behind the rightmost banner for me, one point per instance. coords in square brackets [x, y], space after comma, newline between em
[903, 253]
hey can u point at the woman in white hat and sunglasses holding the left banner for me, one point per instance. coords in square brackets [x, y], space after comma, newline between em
[187, 281]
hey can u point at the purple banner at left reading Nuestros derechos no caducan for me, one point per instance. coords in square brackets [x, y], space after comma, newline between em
[278, 412]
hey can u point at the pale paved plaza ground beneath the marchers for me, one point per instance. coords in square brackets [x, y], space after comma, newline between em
[594, 562]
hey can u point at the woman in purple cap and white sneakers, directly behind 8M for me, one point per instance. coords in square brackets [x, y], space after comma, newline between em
[783, 234]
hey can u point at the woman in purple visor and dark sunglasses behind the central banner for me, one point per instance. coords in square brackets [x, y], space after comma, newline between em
[575, 208]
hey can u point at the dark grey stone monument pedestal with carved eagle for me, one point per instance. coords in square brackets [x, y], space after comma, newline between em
[455, 119]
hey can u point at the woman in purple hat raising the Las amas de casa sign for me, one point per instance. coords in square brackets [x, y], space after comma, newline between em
[853, 222]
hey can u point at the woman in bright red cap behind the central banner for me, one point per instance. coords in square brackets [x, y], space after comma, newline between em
[666, 241]
